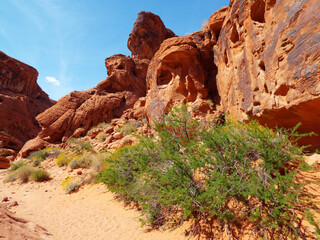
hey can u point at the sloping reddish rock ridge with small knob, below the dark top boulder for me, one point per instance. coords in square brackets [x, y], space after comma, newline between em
[76, 113]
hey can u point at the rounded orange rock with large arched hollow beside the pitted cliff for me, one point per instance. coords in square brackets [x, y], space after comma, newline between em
[182, 70]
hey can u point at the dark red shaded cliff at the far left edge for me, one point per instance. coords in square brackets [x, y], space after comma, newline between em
[21, 100]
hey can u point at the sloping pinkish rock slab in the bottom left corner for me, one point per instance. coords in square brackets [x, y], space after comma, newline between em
[13, 227]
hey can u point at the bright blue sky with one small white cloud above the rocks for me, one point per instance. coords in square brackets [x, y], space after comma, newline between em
[68, 40]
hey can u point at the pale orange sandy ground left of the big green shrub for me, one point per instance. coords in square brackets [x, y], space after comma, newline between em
[90, 213]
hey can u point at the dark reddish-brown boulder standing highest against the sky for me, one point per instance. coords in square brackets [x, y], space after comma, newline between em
[147, 35]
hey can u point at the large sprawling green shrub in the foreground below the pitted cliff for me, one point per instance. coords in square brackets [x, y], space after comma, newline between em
[234, 174]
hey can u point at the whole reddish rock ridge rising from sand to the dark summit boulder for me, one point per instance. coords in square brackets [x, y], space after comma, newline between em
[76, 113]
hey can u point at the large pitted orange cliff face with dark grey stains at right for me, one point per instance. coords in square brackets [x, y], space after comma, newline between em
[268, 63]
